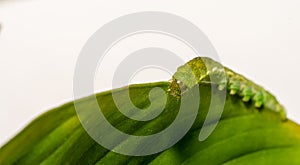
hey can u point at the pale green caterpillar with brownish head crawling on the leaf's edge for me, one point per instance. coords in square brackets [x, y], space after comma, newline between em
[205, 70]
